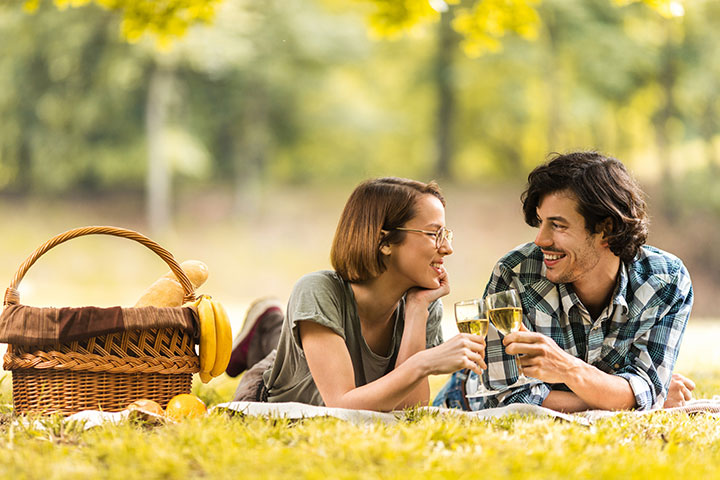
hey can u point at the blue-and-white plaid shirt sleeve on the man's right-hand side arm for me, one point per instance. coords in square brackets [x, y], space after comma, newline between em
[652, 355]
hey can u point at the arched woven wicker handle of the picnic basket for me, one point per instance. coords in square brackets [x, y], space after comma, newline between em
[12, 296]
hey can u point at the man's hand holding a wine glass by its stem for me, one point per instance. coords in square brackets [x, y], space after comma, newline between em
[541, 357]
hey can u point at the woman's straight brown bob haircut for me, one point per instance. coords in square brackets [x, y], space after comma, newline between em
[371, 215]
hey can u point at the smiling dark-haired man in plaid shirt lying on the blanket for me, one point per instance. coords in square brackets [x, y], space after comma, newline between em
[604, 315]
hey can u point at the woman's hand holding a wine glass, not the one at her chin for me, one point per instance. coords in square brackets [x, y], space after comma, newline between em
[464, 350]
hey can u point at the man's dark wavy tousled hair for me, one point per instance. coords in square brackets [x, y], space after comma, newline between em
[604, 190]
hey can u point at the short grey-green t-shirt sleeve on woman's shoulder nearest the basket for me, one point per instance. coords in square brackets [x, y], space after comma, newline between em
[316, 297]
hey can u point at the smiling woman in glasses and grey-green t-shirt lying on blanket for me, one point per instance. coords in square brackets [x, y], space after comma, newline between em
[367, 335]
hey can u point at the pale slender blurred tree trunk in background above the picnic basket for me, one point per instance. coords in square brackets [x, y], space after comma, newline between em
[158, 173]
